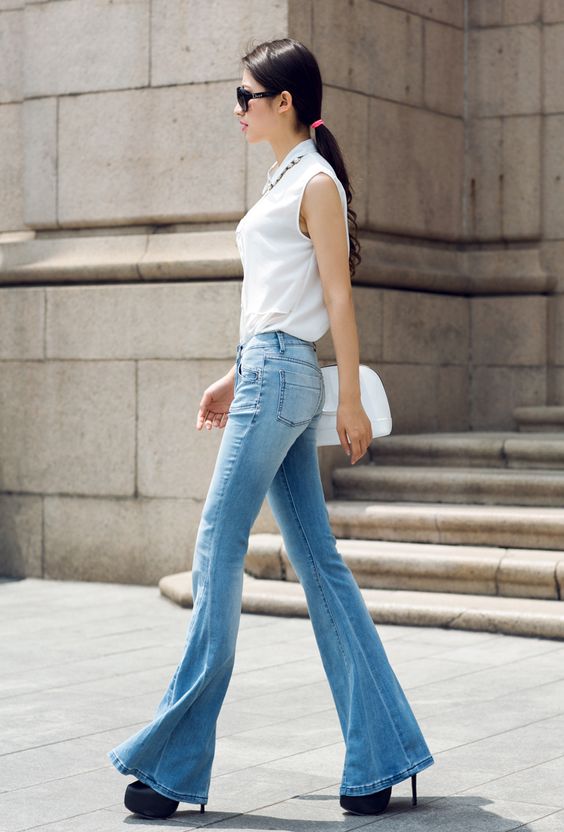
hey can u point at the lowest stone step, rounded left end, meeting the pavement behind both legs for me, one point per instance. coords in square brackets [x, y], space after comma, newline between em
[514, 616]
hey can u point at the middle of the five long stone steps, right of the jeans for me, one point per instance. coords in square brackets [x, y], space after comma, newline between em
[519, 527]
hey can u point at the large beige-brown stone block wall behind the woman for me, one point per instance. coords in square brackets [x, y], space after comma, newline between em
[125, 176]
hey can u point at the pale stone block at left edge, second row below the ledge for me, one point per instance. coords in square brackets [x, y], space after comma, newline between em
[68, 427]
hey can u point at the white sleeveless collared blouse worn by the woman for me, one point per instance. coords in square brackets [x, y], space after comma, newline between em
[281, 283]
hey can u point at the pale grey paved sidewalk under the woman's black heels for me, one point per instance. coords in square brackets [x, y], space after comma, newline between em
[84, 665]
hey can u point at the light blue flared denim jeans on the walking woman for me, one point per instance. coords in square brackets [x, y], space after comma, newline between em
[268, 449]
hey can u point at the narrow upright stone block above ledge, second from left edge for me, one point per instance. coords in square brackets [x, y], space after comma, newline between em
[39, 117]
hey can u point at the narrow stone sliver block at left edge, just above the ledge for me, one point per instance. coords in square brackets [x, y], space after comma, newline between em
[11, 168]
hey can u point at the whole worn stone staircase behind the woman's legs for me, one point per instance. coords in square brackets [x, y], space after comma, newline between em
[459, 530]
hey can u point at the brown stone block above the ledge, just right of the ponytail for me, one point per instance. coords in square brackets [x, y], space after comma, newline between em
[424, 152]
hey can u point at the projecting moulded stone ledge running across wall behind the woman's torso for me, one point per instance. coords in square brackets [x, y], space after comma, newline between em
[213, 253]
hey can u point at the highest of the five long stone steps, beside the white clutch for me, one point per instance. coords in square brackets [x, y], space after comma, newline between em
[482, 449]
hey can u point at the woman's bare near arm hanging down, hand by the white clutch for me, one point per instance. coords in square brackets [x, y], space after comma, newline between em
[322, 210]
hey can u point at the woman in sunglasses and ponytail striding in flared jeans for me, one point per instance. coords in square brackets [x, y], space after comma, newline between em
[298, 259]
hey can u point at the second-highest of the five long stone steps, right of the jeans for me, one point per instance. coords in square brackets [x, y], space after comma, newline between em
[487, 486]
